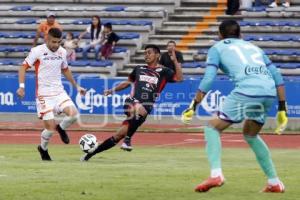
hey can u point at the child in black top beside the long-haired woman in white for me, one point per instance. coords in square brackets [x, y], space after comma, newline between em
[109, 42]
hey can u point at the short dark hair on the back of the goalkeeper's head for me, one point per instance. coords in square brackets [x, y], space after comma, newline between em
[230, 29]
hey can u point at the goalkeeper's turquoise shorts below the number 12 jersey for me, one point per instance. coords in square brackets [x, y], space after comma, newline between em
[238, 107]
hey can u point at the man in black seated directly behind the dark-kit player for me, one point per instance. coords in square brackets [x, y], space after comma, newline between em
[172, 56]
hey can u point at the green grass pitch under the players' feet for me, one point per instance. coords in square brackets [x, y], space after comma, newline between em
[163, 173]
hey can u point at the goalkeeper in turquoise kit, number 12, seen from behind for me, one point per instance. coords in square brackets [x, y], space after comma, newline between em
[257, 84]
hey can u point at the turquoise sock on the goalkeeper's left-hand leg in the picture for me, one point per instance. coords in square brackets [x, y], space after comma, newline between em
[213, 150]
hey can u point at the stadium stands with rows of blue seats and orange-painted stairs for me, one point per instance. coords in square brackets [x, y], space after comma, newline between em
[140, 22]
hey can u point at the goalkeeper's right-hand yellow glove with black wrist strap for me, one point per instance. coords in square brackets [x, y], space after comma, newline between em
[281, 118]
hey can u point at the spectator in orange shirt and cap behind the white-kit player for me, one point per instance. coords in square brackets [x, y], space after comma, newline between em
[45, 26]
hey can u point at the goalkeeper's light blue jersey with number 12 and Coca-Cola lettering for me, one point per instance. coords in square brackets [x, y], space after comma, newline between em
[245, 64]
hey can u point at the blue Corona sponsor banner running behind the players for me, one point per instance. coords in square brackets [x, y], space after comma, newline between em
[173, 100]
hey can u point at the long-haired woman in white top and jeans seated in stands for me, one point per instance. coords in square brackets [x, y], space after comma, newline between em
[96, 32]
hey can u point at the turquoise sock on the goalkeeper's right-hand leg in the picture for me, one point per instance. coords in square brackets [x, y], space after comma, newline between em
[262, 154]
